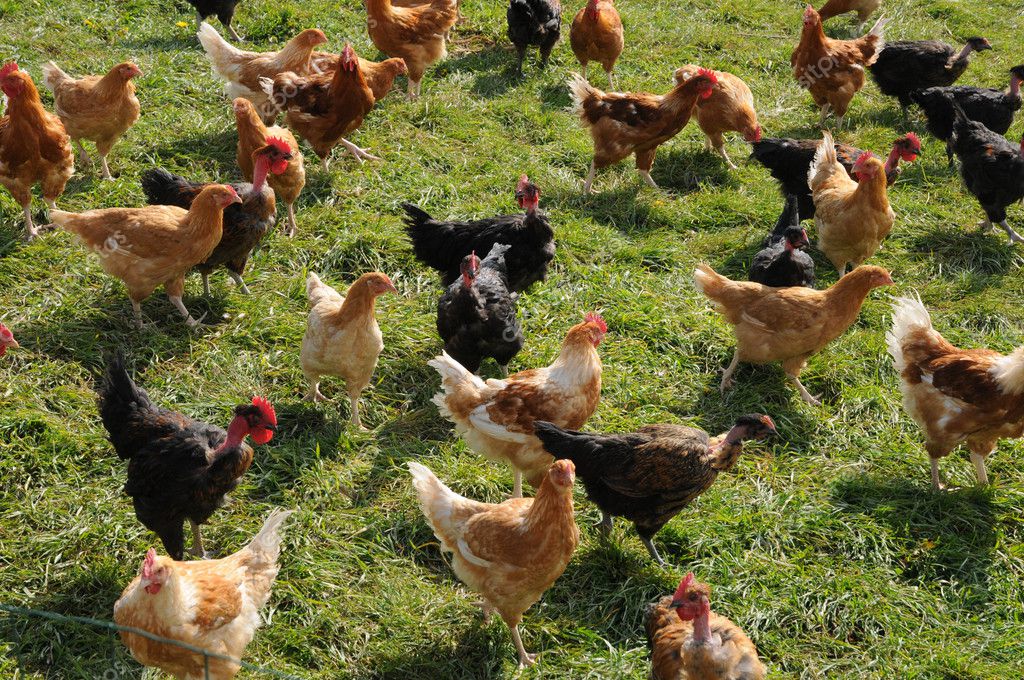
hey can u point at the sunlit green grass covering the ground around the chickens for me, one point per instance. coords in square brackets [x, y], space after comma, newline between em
[827, 545]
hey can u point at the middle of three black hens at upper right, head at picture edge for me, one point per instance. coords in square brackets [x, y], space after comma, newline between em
[994, 109]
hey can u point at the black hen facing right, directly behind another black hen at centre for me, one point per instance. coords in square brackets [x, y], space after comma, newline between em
[443, 245]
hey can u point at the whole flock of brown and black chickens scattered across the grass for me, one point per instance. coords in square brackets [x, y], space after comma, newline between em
[181, 471]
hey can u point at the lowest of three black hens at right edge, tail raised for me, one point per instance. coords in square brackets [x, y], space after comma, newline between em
[993, 169]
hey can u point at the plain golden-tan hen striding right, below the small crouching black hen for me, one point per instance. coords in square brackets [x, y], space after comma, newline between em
[788, 325]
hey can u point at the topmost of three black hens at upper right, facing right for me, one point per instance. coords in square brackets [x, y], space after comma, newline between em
[906, 66]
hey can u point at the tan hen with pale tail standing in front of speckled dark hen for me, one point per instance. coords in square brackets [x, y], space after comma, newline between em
[509, 554]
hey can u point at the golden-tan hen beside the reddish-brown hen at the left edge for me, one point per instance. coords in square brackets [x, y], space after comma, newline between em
[97, 108]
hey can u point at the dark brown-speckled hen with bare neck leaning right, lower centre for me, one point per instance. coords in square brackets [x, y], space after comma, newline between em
[651, 476]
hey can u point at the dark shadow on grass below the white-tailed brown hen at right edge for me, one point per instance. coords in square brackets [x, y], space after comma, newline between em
[954, 533]
